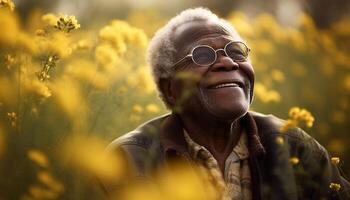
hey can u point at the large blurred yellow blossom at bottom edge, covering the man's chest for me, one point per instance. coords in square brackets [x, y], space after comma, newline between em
[192, 186]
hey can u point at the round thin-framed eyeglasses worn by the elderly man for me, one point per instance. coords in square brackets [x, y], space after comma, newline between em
[204, 55]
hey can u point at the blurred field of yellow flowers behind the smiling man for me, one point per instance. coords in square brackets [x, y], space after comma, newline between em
[67, 89]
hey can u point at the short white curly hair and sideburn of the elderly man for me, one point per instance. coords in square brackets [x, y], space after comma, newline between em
[162, 52]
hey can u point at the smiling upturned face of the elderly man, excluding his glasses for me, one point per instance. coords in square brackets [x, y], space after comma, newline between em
[222, 90]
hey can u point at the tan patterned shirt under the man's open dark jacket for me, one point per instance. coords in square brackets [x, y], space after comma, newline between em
[236, 182]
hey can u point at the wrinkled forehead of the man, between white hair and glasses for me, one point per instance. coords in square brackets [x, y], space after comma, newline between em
[192, 31]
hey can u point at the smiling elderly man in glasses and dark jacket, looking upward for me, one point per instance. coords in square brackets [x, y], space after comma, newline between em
[201, 67]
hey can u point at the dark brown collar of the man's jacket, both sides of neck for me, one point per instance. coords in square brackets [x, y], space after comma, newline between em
[173, 140]
